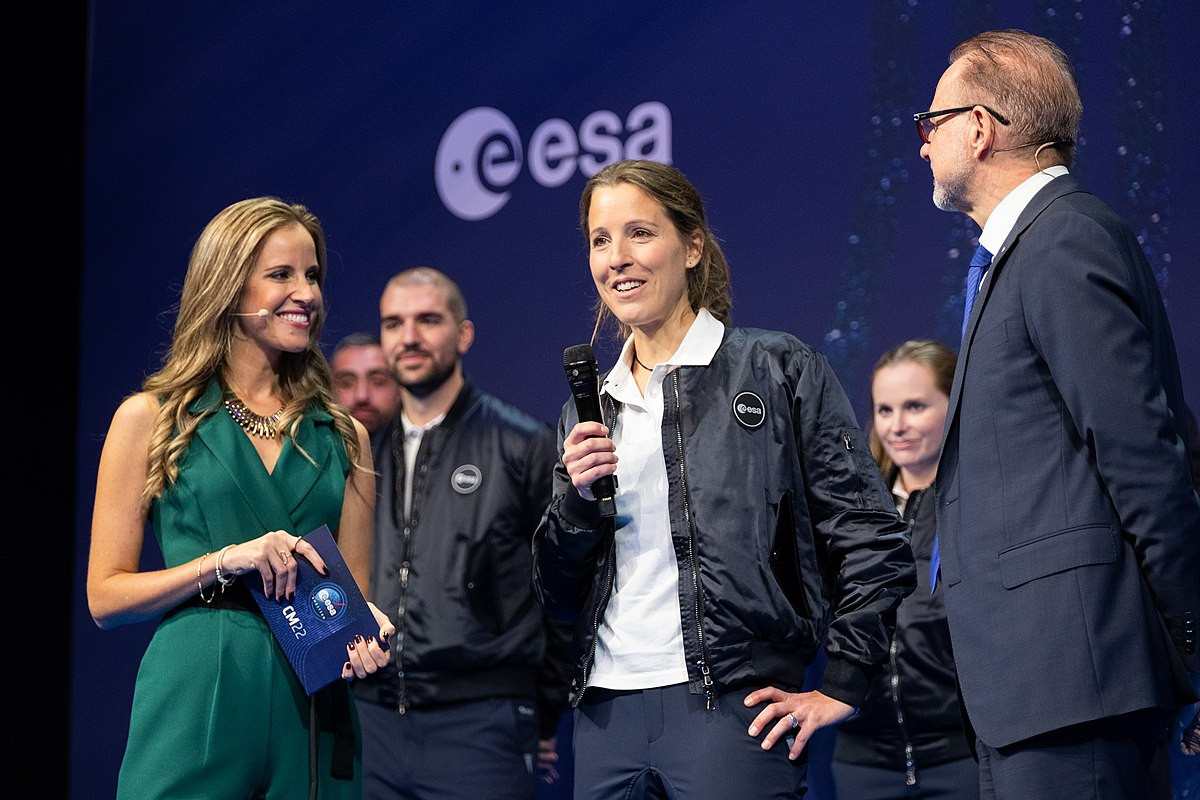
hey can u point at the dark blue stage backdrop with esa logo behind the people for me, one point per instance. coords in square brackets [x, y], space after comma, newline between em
[460, 136]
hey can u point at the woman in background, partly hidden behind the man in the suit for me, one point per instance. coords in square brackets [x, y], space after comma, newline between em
[909, 739]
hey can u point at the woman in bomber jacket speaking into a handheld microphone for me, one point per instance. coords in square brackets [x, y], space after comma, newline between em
[749, 516]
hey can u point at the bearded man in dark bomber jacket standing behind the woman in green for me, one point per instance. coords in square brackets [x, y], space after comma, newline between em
[478, 677]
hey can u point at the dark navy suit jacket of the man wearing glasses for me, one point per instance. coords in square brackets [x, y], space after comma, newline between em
[1070, 527]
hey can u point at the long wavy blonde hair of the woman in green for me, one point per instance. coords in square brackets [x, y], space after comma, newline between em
[220, 266]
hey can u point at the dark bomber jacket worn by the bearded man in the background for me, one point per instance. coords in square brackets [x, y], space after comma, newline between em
[455, 578]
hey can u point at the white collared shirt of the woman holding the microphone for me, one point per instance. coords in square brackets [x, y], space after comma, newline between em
[640, 642]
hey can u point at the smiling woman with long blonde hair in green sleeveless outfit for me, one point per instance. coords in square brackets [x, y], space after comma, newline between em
[232, 452]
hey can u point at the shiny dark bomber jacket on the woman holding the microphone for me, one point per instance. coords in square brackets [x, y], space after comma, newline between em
[779, 519]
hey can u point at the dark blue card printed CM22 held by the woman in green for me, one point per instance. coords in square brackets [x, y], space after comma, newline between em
[326, 616]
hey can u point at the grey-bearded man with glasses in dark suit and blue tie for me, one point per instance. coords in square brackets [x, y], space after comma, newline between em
[1070, 531]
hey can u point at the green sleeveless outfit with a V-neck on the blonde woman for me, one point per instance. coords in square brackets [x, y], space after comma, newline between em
[218, 711]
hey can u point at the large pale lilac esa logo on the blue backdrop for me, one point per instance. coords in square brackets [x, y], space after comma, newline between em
[481, 154]
